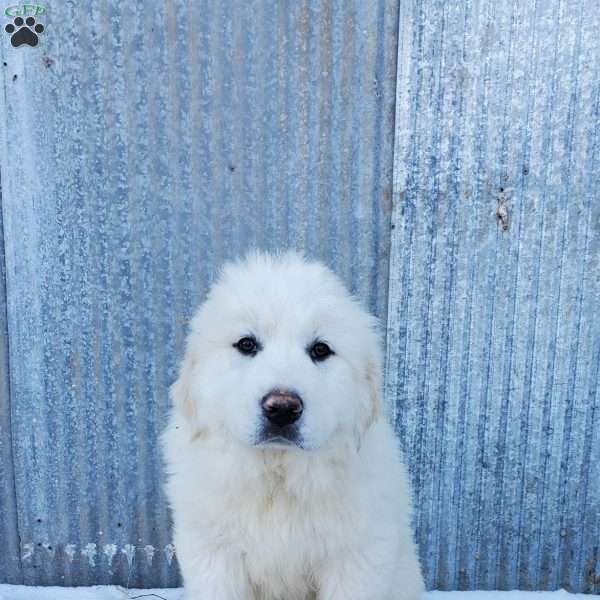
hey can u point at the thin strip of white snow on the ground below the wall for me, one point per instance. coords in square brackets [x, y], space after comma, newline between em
[17, 592]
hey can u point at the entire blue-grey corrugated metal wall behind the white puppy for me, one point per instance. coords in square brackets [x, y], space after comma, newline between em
[141, 147]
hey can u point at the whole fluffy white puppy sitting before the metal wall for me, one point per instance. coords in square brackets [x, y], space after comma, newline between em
[285, 478]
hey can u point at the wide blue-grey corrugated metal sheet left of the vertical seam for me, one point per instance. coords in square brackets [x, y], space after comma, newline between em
[141, 147]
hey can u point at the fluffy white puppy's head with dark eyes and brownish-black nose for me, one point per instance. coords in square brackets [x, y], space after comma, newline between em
[280, 355]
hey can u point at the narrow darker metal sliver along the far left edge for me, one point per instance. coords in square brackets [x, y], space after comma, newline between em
[9, 537]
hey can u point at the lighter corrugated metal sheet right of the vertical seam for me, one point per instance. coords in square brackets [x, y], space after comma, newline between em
[494, 319]
